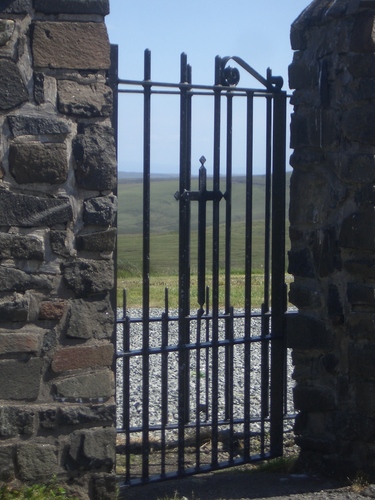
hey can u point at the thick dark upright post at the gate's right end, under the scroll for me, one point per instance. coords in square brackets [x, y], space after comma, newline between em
[278, 274]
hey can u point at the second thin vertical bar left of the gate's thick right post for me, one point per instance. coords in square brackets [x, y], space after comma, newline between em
[248, 263]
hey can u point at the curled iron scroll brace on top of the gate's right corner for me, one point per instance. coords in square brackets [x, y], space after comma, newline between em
[230, 76]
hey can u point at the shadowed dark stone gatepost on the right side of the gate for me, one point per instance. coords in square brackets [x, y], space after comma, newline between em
[332, 231]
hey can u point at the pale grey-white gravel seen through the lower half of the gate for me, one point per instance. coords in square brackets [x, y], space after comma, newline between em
[200, 374]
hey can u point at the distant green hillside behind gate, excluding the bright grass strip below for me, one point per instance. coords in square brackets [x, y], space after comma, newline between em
[164, 226]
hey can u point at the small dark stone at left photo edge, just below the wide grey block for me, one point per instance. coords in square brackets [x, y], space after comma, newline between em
[16, 421]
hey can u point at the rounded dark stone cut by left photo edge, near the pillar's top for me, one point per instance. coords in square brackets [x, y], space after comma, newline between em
[12, 88]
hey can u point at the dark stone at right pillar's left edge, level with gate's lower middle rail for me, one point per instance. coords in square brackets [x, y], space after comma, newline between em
[307, 332]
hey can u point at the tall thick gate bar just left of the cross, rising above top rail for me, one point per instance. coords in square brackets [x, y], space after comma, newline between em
[184, 262]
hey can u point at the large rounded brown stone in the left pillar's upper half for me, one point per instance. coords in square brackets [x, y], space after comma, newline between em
[39, 162]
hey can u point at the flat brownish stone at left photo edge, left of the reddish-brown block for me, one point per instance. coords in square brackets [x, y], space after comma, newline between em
[25, 341]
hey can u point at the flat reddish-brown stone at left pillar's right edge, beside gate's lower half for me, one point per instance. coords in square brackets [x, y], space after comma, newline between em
[80, 357]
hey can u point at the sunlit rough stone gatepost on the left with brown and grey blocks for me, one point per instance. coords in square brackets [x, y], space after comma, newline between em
[57, 210]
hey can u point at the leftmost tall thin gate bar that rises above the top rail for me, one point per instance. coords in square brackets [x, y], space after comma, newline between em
[146, 264]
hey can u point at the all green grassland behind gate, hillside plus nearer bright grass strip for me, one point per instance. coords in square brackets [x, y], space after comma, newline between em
[164, 237]
